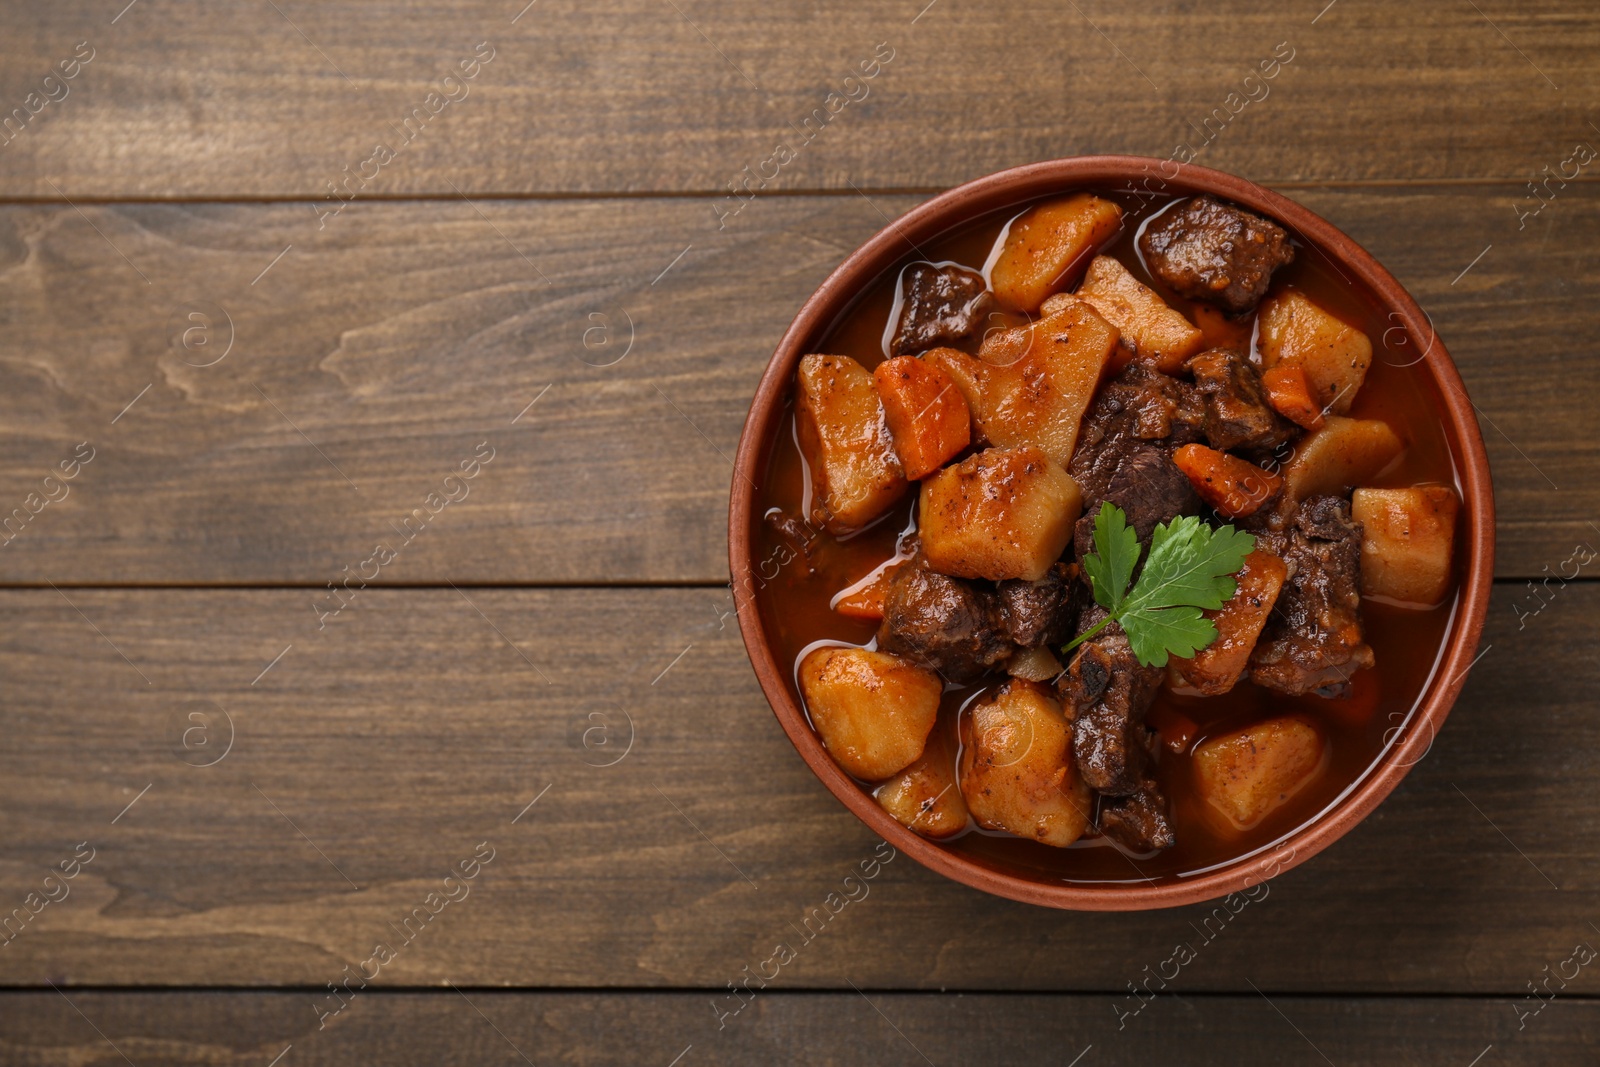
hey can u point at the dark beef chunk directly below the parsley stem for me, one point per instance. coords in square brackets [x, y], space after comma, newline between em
[1110, 692]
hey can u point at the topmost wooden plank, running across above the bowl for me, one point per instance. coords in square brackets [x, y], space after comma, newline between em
[241, 100]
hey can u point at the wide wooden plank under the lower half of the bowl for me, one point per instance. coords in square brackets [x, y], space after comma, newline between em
[673, 837]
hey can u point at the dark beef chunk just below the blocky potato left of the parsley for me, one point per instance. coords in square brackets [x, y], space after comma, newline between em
[942, 623]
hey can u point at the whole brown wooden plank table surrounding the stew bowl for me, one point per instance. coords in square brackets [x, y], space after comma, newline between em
[271, 286]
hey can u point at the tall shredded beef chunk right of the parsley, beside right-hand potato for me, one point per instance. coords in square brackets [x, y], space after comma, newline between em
[1313, 641]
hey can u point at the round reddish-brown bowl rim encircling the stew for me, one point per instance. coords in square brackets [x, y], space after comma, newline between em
[1119, 172]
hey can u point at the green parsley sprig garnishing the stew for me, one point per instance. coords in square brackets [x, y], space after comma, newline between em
[1191, 567]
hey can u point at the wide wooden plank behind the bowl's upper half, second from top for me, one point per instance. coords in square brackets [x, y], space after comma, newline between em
[375, 356]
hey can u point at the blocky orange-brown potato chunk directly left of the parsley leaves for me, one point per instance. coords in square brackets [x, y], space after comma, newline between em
[999, 514]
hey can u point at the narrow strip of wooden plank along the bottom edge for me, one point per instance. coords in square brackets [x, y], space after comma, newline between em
[42, 1029]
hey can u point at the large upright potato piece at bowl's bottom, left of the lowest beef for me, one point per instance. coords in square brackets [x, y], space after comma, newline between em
[1018, 772]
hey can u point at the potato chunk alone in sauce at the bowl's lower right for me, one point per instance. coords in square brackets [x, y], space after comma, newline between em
[1249, 773]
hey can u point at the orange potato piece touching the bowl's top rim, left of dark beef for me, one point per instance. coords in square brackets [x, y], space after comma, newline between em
[1047, 246]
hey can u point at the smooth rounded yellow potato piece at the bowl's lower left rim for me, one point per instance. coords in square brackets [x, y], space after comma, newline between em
[873, 711]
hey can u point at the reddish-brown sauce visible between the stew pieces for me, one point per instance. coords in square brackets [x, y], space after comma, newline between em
[1407, 642]
